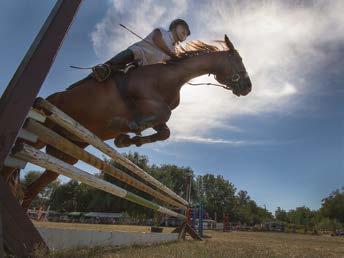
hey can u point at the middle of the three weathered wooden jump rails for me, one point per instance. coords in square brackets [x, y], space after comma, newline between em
[57, 141]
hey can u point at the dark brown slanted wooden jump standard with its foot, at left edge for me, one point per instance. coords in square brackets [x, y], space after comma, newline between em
[19, 234]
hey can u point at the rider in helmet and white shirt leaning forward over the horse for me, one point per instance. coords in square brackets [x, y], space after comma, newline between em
[159, 46]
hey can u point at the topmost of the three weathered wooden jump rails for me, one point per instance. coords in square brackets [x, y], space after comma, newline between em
[68, 123]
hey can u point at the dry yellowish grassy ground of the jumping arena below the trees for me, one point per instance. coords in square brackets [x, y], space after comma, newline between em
[219, 244]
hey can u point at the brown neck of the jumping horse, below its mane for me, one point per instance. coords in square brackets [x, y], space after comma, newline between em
[198, 65]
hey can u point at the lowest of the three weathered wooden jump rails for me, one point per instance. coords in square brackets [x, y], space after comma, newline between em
[32, 155]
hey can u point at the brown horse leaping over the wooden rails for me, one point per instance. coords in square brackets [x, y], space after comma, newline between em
[140, 99]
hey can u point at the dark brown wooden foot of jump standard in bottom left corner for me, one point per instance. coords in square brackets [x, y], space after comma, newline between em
[19, 234]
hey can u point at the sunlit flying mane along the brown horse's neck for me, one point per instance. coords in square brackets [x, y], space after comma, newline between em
[197, 47]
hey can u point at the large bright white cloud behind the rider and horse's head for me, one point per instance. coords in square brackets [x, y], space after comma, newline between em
[280, 44]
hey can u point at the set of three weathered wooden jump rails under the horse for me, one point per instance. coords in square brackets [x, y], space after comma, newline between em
[34, 129]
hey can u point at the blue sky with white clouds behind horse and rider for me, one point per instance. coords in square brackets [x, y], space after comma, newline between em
[283, 143]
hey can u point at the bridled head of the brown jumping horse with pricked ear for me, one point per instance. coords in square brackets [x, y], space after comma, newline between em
[233, 72]
